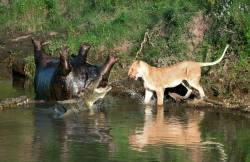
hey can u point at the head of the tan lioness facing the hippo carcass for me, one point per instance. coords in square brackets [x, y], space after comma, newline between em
[136, 70]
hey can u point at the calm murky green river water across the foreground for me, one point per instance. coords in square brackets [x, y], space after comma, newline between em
[121, 129]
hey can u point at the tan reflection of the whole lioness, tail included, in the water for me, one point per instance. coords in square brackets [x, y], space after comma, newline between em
[173, 130]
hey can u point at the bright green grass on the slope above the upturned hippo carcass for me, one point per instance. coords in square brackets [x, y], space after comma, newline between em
[102, 23]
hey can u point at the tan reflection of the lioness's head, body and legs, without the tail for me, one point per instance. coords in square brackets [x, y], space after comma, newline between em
[168, 130]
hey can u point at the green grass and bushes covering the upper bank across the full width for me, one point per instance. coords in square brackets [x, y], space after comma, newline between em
[179, 30]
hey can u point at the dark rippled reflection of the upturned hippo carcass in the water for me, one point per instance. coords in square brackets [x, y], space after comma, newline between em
[73, 132]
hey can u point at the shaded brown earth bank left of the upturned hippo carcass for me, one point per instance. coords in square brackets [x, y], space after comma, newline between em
[16, 52]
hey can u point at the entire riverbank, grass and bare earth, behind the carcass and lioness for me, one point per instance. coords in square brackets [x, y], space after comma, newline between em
[160, 33]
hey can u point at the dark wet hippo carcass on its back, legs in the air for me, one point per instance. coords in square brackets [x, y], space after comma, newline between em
[65, 78]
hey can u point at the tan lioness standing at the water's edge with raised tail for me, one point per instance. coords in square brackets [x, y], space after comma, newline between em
[157, 79]
